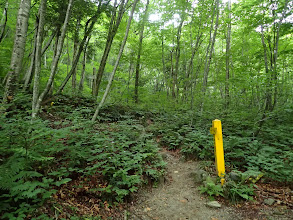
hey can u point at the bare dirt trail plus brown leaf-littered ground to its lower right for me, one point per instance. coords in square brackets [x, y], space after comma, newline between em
[177, 198]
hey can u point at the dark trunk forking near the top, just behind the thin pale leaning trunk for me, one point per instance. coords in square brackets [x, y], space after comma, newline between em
[114, 25]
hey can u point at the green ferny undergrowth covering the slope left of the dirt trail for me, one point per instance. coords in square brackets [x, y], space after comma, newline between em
[40, 156]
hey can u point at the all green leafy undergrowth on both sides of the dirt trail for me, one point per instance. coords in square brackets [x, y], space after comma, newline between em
[119, 153]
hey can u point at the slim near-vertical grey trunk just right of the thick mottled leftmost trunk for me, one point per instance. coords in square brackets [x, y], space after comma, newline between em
[38, 56]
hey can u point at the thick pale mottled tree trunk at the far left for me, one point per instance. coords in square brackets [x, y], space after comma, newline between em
[18, 50]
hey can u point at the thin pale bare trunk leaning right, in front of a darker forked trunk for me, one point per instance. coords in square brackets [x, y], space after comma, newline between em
[116, 63]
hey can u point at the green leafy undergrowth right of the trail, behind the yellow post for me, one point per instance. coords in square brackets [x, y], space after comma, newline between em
[270, 153]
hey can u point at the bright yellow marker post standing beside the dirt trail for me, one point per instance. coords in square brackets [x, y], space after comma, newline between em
[216, 130]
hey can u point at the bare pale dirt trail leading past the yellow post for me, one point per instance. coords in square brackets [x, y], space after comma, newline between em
[177, 198]
